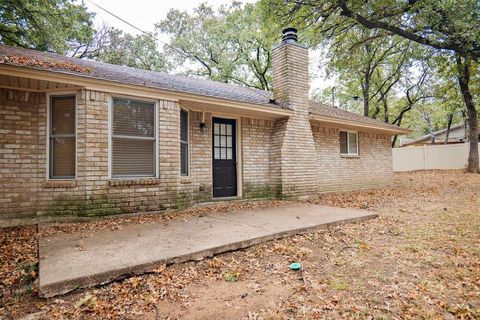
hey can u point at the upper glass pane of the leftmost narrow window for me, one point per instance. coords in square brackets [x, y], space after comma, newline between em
[63, 115]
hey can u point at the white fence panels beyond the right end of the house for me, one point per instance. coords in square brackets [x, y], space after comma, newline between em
[450, 156]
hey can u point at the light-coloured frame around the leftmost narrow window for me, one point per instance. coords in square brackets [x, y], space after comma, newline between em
[48, 136]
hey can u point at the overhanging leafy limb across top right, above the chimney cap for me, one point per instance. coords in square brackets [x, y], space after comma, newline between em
[450, 25]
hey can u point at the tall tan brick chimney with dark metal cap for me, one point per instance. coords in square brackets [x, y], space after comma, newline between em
[293, 156]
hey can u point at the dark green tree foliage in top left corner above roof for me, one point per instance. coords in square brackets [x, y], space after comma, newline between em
[46, 25]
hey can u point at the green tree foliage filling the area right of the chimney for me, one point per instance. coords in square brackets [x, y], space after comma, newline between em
[398, 55]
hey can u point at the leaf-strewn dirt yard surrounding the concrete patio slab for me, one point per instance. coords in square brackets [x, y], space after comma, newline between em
[419, 259]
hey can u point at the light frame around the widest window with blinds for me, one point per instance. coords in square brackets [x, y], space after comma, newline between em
[110, 137]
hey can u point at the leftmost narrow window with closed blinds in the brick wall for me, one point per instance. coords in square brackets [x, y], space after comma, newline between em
[62, 137]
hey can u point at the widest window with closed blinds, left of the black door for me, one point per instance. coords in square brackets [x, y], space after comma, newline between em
[133, 138]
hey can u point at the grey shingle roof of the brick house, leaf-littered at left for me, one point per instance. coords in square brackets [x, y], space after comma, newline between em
[92, 69]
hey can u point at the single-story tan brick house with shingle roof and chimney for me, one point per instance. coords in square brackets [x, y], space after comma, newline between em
[82, 137]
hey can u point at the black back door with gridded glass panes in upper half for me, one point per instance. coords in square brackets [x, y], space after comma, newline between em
[224, 158]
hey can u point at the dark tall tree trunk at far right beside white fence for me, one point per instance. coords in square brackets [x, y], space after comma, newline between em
[463, 68]
